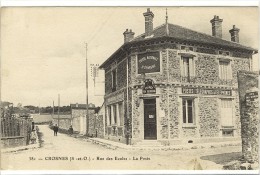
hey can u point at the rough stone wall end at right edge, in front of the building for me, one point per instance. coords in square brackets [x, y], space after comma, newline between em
[249, 110]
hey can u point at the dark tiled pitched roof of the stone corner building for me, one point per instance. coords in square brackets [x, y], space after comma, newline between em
[186, 34]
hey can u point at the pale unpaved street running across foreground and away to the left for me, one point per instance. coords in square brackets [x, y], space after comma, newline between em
[68, 153]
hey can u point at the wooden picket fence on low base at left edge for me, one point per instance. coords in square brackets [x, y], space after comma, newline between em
[15, 131]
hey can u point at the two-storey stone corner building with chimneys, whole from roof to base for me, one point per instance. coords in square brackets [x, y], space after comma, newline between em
[172, 85]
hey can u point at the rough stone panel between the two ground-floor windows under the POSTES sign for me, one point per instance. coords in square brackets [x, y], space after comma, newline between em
[209, 120]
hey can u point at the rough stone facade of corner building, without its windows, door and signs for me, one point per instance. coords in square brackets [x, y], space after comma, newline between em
[169, 85]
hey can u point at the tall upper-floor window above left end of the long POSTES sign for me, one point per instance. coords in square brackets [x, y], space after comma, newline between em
[187, 68]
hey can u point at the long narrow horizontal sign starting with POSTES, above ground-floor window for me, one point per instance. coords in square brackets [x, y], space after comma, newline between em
[206, 91]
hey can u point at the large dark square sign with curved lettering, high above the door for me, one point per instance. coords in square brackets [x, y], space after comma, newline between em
[148, 62]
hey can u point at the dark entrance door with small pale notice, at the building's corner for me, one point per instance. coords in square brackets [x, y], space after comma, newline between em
[150, 132]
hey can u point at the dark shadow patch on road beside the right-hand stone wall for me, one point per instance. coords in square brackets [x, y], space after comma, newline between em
[223, 158]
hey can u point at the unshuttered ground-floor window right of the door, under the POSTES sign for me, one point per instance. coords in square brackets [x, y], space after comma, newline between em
[188, 111]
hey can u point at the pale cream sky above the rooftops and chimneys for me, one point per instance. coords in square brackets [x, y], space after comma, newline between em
[43, 49]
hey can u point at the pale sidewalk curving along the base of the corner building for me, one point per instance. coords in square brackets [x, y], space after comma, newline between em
[115, 145]
